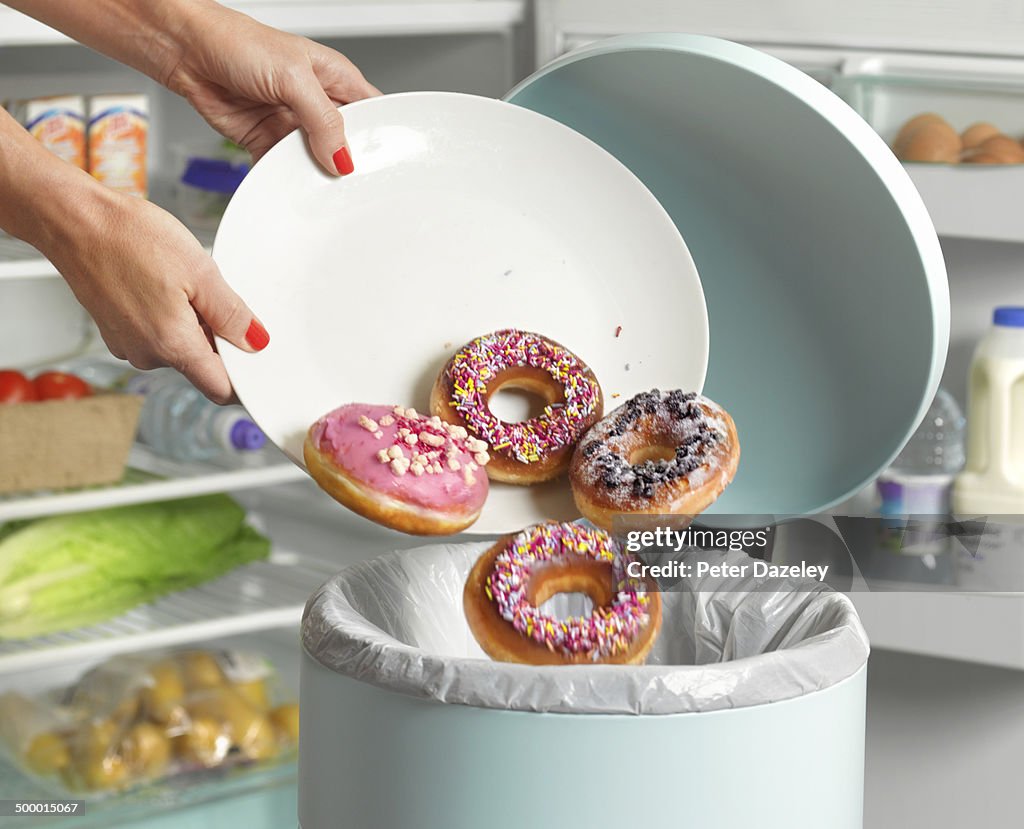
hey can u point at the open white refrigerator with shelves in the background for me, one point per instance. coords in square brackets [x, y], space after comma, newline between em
[947, 674]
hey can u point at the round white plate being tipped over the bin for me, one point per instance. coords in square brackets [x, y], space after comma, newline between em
[464, 215]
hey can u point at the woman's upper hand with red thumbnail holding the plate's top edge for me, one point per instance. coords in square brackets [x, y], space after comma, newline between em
[255, 84]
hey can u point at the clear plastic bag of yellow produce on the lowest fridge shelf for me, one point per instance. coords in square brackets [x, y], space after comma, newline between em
[141, 718]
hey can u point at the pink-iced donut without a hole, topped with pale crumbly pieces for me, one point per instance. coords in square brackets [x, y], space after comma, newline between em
[399, 468]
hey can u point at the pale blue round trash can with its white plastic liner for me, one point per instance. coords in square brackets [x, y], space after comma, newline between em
[750, 712]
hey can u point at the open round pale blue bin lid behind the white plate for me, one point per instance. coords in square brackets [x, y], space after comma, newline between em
[826, 286]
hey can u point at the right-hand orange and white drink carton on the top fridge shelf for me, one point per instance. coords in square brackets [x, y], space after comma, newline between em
[119, 128]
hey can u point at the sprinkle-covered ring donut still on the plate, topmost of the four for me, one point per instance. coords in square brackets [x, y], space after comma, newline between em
[536, 450]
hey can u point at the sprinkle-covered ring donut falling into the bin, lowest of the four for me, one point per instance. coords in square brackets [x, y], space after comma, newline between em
[521, 573]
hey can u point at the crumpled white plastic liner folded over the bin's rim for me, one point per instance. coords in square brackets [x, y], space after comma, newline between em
[398, 623]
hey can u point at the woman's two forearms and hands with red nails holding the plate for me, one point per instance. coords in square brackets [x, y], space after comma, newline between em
[155, 294]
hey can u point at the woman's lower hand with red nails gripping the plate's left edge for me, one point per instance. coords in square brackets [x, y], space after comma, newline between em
[156, 295]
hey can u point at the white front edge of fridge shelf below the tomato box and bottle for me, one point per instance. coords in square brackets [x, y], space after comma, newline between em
[151, 478]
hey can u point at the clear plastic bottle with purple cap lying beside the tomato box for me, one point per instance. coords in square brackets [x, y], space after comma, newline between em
[180, 423]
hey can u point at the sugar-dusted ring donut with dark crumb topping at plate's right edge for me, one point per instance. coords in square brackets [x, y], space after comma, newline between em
[661, 453]
